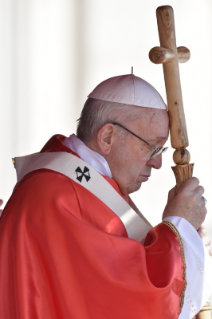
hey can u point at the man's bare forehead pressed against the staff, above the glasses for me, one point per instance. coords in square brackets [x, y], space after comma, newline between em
[152, 123]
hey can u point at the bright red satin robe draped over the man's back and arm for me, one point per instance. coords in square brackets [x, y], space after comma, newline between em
[65, 255]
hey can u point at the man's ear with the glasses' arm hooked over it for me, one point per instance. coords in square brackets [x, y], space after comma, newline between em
[105, 138]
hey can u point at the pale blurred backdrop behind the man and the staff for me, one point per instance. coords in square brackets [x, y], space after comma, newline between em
[54, 52]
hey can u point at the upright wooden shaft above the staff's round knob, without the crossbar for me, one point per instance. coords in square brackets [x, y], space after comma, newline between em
[166, 28]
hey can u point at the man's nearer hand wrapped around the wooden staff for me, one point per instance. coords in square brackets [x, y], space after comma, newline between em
[187, 203]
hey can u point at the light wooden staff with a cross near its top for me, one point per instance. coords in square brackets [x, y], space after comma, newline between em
[169, 55]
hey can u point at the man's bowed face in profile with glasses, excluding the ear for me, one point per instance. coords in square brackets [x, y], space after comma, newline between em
[129, 159]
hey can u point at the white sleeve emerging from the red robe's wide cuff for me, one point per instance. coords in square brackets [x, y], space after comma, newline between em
[198, 264]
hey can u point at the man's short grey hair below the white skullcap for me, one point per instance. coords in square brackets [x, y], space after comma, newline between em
[96, 113]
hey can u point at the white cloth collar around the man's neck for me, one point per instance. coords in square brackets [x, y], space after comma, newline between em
[97, 161]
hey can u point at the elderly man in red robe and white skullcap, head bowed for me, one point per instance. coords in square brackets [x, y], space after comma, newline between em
[71, 246]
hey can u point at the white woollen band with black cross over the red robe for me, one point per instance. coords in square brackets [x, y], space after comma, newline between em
[82, 173]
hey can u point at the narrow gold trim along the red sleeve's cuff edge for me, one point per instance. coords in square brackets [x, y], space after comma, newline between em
[175, 230]
